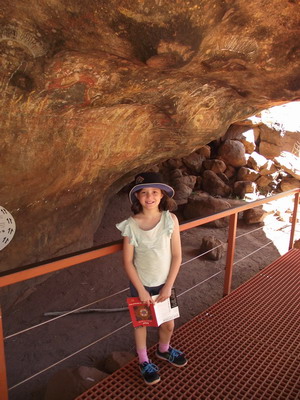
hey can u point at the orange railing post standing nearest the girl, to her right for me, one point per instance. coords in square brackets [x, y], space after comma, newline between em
[230, 253]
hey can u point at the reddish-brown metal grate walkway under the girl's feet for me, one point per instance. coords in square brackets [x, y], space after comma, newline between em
[246, 346]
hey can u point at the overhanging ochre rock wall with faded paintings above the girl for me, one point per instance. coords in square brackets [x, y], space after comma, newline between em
[94, 91]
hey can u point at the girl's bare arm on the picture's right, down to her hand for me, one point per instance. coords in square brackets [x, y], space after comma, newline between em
[165, 292]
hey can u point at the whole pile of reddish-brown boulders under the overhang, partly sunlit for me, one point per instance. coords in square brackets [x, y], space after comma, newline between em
[208, 180]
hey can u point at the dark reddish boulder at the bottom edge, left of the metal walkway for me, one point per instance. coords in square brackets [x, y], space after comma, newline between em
[69, 383]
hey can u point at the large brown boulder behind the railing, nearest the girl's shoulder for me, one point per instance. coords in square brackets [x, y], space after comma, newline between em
[202, 204]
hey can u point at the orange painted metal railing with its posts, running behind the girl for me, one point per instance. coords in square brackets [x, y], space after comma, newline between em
[32, 271]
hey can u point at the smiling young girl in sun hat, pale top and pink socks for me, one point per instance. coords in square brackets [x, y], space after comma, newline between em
[152, 257]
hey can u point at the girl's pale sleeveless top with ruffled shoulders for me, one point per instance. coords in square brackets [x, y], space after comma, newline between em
[152, 248]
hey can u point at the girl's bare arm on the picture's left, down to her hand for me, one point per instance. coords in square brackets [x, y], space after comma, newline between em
[128, 250]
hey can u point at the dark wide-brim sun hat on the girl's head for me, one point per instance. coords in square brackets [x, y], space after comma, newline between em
[149, 179]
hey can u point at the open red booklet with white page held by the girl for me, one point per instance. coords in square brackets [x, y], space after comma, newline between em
[155, 314]
